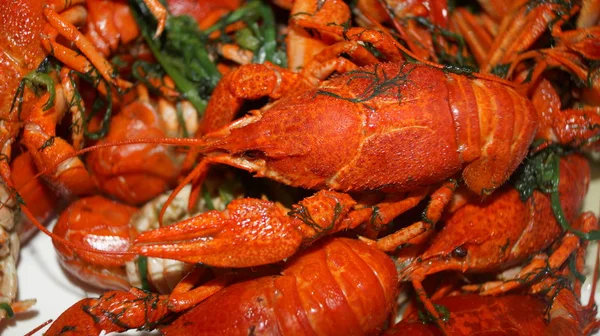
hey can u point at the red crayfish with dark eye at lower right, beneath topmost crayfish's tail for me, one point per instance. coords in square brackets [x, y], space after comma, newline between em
[475, 240]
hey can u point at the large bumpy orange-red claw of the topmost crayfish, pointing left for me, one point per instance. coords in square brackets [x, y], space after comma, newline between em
[250, 232]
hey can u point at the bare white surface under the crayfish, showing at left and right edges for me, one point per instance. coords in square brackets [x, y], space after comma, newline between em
[41, 277]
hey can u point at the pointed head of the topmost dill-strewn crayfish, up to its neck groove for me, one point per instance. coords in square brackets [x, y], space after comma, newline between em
[299, 142]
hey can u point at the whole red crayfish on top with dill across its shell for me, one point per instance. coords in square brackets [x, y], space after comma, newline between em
[390, 127]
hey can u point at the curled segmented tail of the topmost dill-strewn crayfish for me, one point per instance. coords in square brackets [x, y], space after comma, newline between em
[494, 128]
